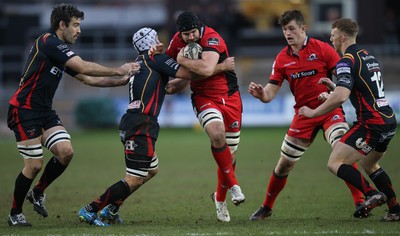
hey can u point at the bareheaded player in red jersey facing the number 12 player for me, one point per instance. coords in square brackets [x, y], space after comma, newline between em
[302, 63]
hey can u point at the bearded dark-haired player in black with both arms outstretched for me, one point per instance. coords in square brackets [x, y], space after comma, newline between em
[31, 115]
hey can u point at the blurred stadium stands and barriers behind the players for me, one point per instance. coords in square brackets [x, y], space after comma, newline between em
[249, 27]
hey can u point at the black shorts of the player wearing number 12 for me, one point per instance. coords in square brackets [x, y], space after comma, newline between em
[365, 138]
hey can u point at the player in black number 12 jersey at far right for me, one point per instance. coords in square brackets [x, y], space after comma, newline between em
[359, 78]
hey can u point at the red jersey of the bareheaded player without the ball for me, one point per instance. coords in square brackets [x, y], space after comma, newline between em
[315, 60]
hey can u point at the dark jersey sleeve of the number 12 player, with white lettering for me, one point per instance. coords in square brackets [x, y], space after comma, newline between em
[344, 73]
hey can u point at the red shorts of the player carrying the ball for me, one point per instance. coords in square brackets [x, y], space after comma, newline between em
[230, 107]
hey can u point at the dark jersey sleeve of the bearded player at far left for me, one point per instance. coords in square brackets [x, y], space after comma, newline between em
[56, 49]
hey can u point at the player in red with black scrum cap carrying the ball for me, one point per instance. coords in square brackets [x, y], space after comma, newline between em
[216, 102]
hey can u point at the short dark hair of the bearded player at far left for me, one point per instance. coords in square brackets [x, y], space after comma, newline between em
[64, 12]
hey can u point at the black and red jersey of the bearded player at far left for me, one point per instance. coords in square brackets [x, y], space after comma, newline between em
[42, 73]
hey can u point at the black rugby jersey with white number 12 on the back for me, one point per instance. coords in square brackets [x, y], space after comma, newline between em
[360, 72]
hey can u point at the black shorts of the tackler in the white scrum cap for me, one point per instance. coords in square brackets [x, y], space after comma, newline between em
[138, 133]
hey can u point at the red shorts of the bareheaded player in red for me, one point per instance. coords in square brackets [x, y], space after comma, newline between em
[307, 128]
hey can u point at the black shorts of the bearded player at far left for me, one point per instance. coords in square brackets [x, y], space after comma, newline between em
[29, 124]
